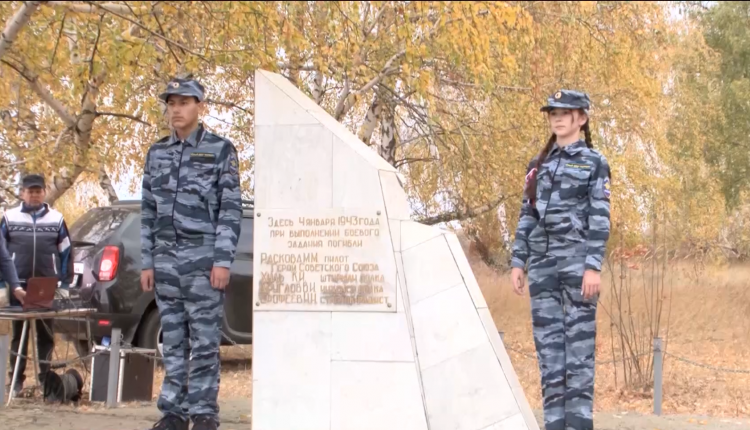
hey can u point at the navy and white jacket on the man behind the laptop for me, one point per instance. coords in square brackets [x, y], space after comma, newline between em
[38, 242]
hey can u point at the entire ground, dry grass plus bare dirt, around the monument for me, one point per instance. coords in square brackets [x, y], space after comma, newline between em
[712, 330]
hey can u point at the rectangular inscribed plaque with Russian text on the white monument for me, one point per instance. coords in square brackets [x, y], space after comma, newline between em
[323, 260]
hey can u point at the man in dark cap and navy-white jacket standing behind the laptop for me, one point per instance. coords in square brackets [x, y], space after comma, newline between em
[37, 240]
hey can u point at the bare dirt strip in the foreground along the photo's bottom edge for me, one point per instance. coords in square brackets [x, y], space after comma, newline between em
[235, 415]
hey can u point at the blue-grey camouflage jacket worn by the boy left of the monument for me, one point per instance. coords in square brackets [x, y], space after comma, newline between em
[191, 195]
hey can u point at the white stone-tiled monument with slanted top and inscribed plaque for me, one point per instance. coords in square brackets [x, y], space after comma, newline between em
[362, 318]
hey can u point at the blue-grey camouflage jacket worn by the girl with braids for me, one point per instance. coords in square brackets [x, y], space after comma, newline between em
[570, 213]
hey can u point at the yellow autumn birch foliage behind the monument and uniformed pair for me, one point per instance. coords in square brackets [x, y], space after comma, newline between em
[449, 92]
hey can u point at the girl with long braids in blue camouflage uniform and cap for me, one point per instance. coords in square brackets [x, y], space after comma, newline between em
[562, 235]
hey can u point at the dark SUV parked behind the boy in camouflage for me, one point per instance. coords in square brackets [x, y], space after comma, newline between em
[107, 261]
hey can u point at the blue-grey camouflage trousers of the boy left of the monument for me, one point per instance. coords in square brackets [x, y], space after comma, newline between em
[191, 315]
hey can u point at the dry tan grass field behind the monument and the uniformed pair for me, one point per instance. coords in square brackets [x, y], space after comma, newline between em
[709, 323]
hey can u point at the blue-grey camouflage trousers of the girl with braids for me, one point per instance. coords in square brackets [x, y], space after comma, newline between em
[564, 326]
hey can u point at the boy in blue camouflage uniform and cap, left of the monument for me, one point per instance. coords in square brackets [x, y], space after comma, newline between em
[191, 213]
